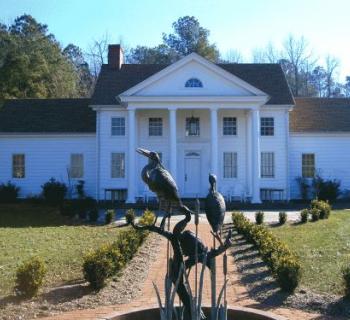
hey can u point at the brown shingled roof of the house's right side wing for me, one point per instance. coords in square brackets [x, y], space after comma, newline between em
[320, 115]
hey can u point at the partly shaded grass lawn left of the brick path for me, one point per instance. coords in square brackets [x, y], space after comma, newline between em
[29, 230]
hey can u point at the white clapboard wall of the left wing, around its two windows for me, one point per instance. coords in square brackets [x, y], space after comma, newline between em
[47, 156]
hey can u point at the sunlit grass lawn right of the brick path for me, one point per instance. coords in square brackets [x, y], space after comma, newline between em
[323, 248]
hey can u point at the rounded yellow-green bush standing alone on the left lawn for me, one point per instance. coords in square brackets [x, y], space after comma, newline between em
[30, 277]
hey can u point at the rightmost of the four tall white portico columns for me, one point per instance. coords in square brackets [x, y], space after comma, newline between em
[255, 119]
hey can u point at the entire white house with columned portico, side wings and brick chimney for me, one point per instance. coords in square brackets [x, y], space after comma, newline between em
[239, 121]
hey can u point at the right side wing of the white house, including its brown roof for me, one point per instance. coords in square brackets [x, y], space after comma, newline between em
[320, 142]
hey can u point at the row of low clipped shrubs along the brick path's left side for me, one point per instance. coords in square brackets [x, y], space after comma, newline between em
[109, 259]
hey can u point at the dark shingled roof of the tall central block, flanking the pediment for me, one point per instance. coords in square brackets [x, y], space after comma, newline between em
[266, 77]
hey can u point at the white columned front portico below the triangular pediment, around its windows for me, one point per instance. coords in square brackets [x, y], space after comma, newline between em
[183, 154]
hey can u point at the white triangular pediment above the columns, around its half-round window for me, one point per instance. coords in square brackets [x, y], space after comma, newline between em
[171, 81]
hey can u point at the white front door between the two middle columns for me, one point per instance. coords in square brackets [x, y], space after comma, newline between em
[192, 173]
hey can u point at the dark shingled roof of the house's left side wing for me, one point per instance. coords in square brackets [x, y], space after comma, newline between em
[47, 116]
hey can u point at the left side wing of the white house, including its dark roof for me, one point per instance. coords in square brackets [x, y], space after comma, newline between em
[44, 139]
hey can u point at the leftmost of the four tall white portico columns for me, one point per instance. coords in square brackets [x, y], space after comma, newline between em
[131, 155]
